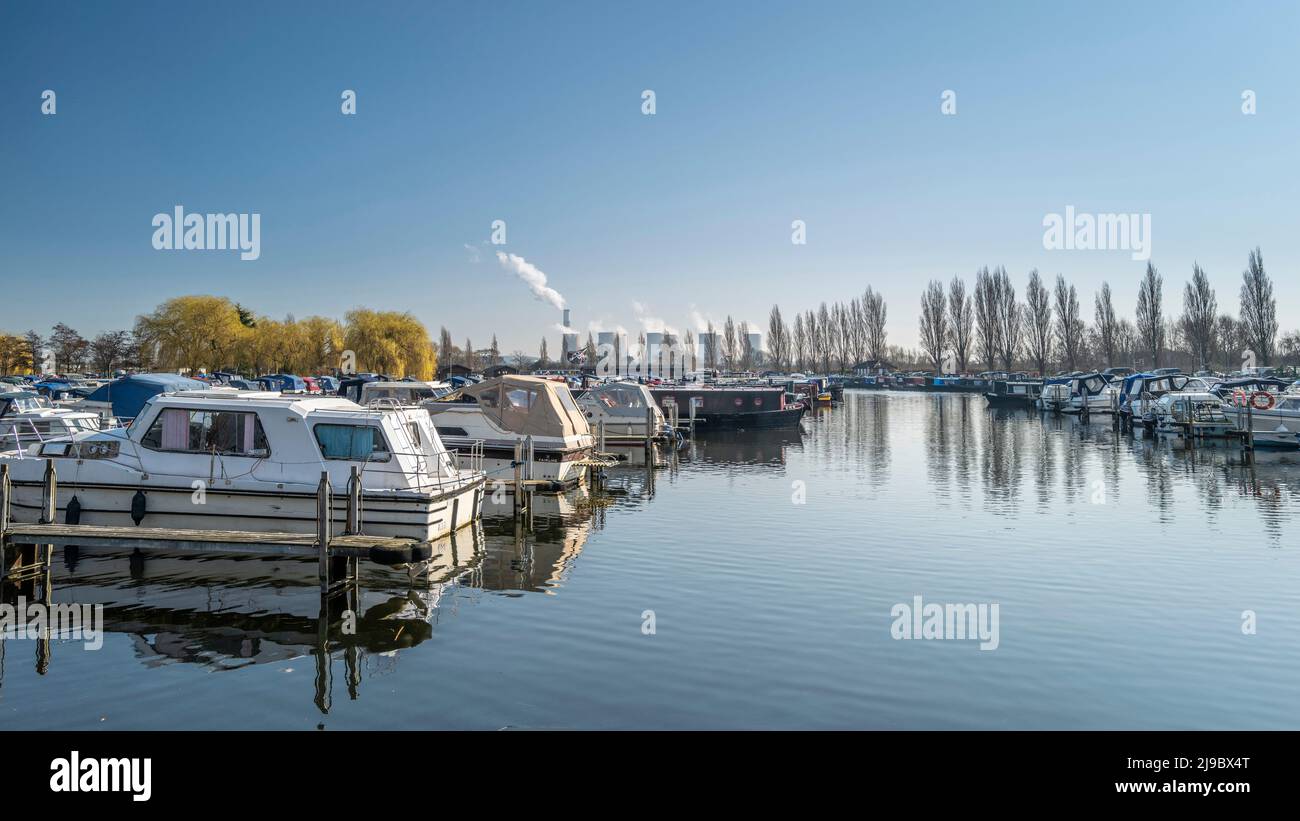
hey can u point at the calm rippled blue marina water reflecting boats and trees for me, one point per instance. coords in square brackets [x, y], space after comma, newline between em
[1121, 568]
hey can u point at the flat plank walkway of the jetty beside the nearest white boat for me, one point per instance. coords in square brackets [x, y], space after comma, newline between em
[202, 541]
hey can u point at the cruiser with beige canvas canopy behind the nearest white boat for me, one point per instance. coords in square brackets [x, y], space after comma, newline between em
[513, 410]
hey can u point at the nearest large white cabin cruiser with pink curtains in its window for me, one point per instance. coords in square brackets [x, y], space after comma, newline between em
[246, 461]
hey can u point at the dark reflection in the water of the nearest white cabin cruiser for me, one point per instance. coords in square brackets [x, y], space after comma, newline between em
[229, 613]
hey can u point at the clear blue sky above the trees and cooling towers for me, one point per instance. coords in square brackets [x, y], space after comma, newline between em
[531, 114]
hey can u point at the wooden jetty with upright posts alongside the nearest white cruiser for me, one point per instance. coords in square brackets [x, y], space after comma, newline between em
[25, 550]
